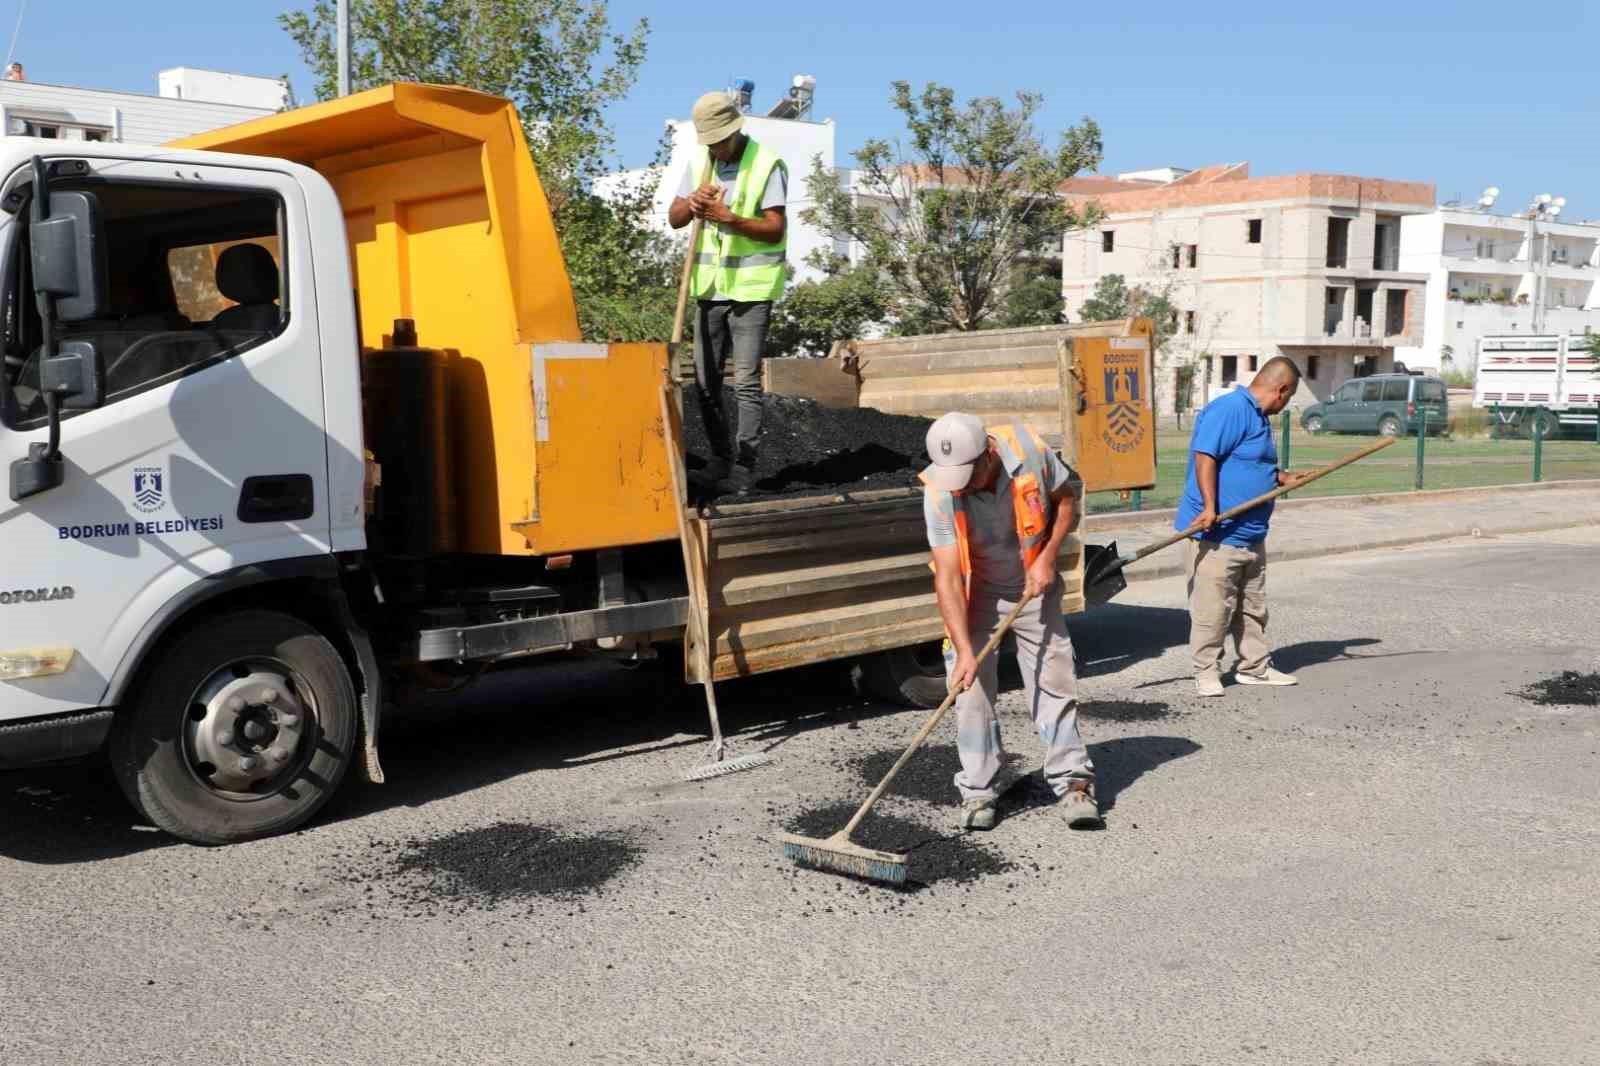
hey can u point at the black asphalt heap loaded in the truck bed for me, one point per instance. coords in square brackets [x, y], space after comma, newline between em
[809, 449]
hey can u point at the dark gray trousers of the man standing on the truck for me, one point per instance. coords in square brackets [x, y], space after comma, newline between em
[738, 331]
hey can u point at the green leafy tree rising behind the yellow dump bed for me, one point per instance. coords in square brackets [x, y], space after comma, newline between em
[561, 63]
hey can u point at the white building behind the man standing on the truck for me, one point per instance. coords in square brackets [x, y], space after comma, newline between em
[790, 132]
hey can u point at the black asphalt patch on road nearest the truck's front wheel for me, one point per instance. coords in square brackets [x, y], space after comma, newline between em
[506, 864]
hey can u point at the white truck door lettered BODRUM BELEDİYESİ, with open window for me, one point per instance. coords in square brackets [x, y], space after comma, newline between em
[209, 452]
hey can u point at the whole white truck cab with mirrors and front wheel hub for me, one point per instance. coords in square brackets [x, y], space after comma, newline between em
[204, 443]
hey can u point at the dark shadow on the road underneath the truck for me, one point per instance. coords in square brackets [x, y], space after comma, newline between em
[564, 716]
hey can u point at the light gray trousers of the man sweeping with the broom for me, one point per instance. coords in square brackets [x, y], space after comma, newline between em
[1044, 651]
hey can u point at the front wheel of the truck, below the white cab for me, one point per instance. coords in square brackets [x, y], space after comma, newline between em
[241, 729]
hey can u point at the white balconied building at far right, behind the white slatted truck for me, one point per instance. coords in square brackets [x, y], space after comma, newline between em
[1497, 275]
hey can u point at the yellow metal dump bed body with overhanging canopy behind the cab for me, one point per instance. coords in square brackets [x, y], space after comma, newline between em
[558, 446]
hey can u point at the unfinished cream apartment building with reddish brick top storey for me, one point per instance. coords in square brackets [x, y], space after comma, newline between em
[1300, 265]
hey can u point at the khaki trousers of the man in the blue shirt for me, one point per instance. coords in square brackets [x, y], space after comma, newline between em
[1228, 596]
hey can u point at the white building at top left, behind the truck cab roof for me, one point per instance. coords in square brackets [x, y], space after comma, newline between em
[191, 102]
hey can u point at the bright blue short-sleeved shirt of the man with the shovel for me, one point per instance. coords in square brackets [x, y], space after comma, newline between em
[1238, 435]
